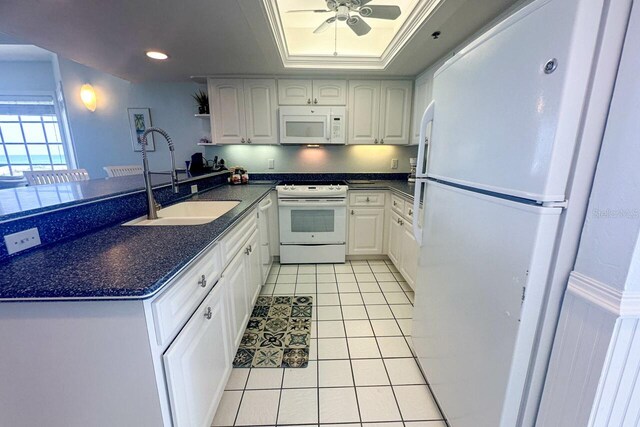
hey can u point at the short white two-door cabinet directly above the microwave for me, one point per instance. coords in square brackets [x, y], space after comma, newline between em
[312, 92]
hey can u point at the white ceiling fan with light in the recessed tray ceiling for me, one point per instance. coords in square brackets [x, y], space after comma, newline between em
[351, 12]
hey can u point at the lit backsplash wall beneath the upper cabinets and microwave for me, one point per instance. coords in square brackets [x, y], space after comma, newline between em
[351, 158]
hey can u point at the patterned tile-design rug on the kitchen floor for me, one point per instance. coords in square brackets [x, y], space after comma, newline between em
[278, 334]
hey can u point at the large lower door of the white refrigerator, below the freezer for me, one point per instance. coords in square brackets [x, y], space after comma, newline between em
[471, 330]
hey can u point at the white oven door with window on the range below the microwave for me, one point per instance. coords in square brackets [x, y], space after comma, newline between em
[312, 221]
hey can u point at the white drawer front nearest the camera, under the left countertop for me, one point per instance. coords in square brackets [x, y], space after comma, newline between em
[173, 307]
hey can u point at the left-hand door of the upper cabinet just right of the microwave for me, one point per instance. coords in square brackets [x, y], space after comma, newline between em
[364, 111]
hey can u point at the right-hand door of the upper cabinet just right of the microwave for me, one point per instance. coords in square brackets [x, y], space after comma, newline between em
[395, 112]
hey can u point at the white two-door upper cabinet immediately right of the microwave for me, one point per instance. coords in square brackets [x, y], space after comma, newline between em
[379, 111]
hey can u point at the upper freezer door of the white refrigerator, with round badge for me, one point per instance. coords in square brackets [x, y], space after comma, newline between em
[501, 122]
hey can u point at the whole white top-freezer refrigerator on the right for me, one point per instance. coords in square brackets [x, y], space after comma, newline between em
[492, 176]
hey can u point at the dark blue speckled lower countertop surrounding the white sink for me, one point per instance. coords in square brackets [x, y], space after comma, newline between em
[120, 262]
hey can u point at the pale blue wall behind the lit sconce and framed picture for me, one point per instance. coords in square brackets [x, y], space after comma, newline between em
[102, 137]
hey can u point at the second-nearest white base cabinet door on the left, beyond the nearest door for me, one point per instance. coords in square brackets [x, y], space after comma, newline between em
[235, 280]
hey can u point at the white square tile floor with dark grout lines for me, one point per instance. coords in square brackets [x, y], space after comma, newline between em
[361, 371]
